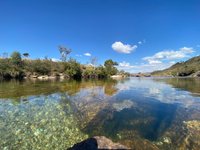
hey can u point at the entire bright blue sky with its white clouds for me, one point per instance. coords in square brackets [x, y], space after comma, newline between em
[141, 35]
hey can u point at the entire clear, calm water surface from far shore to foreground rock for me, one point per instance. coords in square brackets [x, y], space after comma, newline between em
[135, 111]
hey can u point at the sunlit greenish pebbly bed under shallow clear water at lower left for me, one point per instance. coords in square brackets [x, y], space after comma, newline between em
[46, 122]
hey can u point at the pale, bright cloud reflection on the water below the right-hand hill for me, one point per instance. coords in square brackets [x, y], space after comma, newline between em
[149, 88]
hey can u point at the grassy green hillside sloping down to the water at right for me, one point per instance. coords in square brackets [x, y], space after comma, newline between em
[190, 67]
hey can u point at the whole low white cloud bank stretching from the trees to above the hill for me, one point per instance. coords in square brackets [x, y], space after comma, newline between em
[158, 61]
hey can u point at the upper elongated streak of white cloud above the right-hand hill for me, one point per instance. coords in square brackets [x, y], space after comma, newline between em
[169, 55]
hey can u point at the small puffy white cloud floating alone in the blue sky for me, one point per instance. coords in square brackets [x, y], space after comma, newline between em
[123, 48]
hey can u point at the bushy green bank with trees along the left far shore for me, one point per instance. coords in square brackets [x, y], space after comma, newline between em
[17, 67]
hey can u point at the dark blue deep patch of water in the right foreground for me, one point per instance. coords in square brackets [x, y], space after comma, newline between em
[143, 119]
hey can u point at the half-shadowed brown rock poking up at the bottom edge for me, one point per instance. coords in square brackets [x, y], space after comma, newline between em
[97, 142]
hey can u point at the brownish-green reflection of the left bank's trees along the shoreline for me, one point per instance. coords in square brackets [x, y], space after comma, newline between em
[17, 89]
